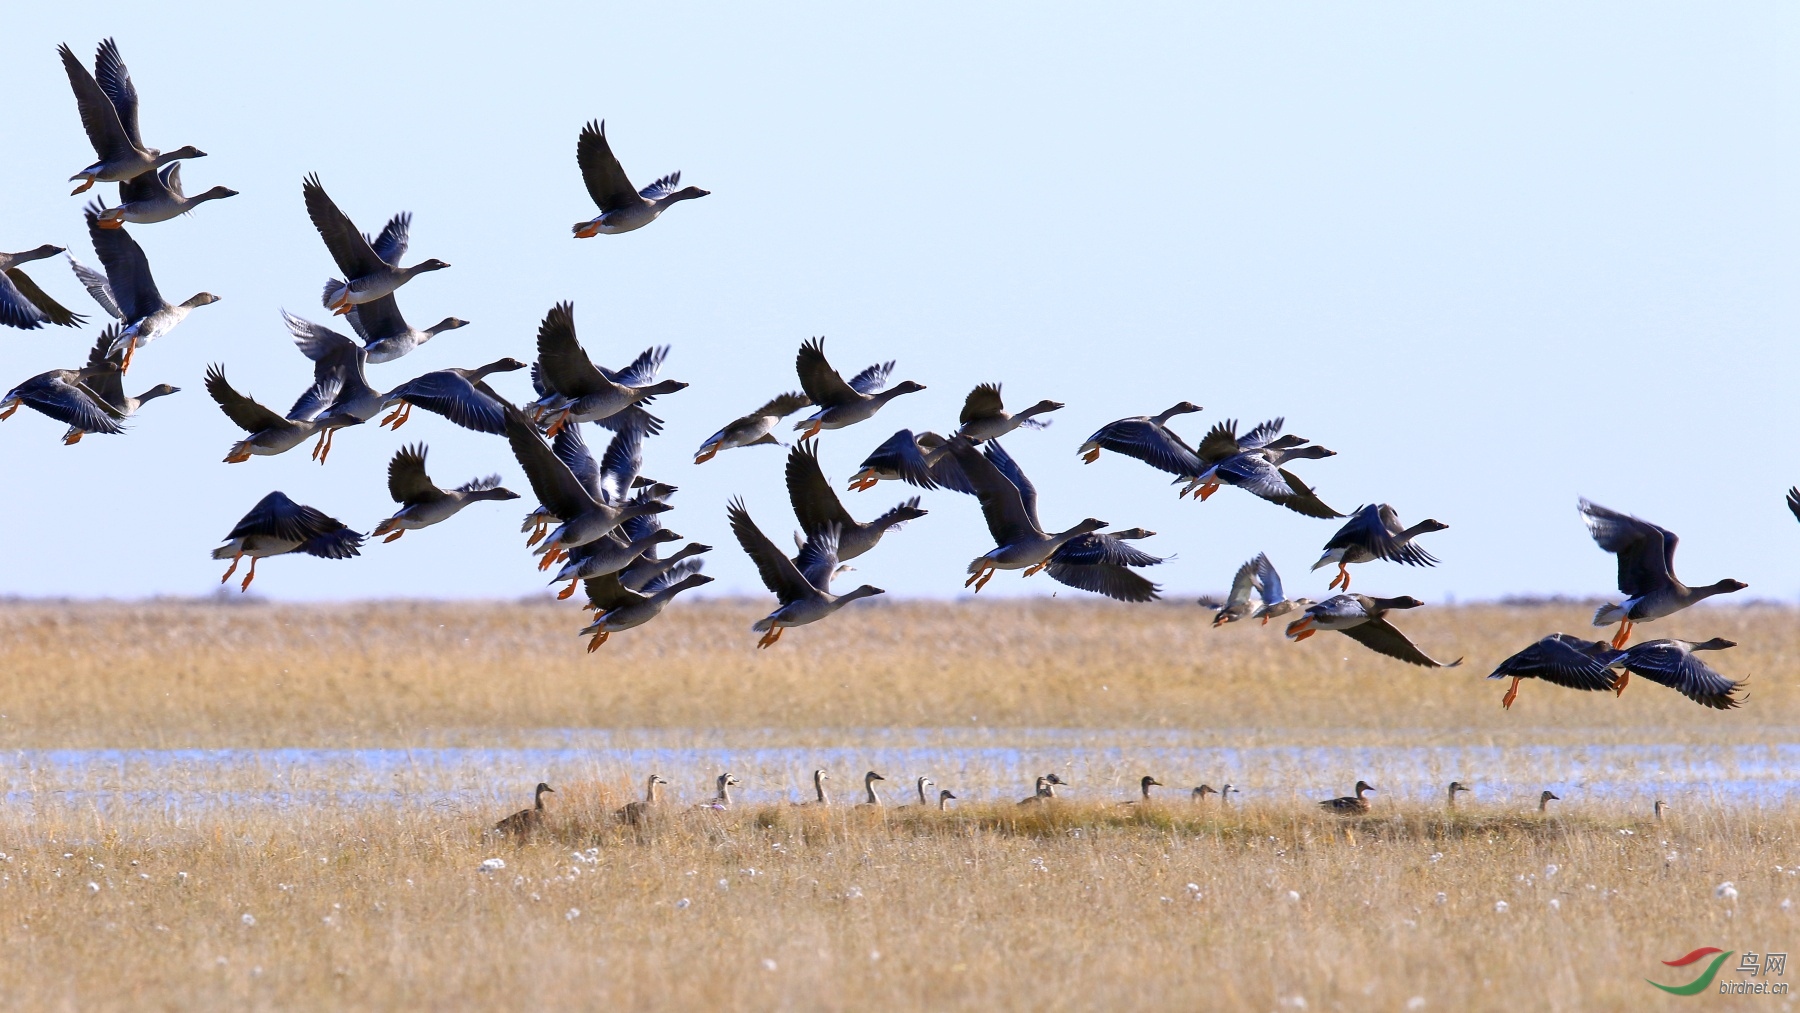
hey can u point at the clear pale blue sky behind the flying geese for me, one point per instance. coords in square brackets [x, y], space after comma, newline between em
[1497, 256]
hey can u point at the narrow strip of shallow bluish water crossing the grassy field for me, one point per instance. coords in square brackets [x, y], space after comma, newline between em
[978, 766]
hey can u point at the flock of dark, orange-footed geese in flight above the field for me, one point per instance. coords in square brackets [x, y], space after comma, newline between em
[600, 523]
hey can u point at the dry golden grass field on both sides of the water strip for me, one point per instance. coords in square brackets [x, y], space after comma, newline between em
[109, 901]
